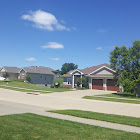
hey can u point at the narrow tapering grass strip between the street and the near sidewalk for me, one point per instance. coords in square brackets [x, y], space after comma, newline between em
[101, 116]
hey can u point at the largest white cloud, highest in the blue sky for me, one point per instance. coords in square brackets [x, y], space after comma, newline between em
[44, 20]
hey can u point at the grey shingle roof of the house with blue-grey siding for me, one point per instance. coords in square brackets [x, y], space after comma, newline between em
[40, 70]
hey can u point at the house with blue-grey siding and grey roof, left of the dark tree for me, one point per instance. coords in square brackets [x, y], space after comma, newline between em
[39, 75]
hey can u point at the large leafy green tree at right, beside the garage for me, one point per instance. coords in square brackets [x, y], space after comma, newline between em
[126, 62]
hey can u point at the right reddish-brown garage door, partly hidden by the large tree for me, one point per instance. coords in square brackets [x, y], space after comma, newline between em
[111, 85]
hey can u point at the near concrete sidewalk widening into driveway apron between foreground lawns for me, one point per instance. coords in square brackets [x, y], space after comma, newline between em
[8, 108]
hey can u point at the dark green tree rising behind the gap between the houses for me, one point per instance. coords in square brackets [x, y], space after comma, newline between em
[68, 67]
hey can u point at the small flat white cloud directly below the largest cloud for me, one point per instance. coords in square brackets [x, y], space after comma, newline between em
[53, 45]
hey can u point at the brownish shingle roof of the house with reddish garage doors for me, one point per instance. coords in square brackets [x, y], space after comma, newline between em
[89, 70]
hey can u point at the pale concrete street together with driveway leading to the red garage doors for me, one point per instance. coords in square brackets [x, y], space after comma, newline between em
[71, 100]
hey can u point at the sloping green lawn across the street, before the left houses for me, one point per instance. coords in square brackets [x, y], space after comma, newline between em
[15, 85]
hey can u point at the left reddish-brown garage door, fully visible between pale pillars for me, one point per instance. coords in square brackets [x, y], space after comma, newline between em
[97, 84]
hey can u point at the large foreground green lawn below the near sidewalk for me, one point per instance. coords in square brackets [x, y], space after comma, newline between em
[30, 127]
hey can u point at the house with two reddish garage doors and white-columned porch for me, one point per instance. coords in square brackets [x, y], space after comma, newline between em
[99, 77]
